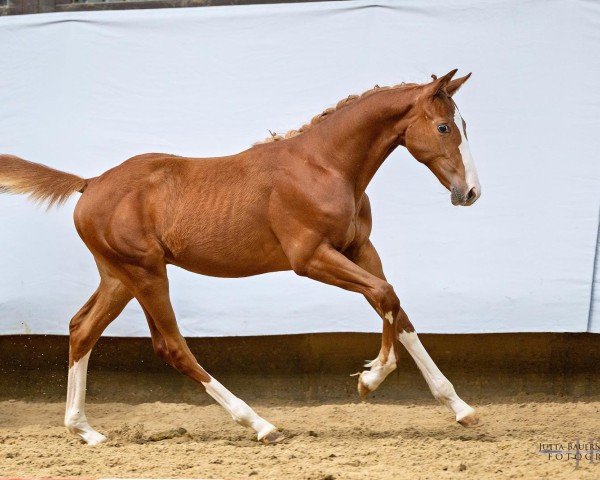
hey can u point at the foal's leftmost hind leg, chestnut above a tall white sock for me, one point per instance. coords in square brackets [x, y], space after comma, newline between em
[84, 330]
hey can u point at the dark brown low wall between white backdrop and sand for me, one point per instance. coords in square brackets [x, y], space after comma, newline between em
[313, 367]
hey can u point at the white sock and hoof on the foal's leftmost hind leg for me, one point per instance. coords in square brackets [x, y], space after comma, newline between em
[75, 419]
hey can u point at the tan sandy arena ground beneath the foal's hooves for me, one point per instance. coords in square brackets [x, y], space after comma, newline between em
[325, 441]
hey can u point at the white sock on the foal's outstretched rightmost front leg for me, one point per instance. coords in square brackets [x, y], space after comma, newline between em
[439, 385]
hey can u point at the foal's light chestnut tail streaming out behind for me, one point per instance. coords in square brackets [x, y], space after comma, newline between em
[42, 184]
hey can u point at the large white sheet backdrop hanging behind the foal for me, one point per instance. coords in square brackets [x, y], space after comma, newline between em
[84, 91]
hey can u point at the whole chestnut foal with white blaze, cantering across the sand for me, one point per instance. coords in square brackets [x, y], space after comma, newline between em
[296, 203]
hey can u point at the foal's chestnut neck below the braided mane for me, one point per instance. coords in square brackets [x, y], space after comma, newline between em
[357, 139]
